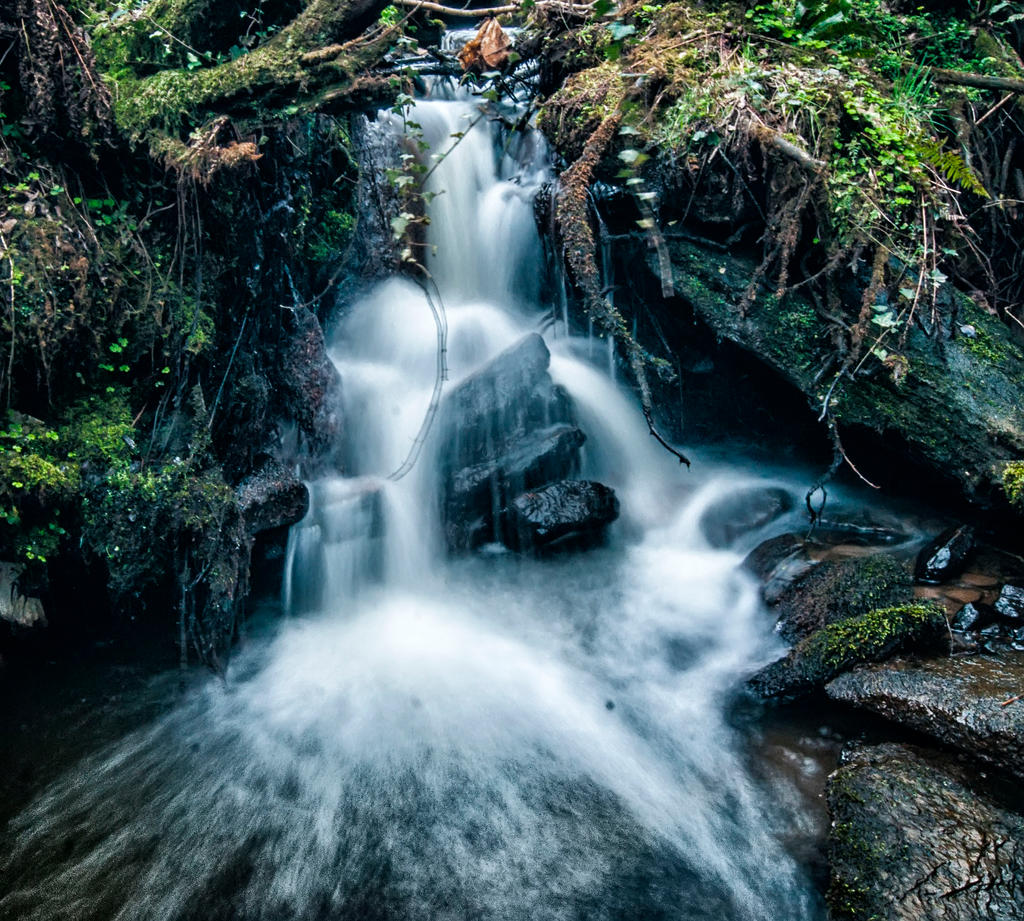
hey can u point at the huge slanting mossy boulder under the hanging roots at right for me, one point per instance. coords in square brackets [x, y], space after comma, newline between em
[959, 413]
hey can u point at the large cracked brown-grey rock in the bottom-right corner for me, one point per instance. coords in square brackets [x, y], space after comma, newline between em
[912, 842]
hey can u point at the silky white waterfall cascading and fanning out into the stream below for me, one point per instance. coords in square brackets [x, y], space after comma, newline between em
[496, 737]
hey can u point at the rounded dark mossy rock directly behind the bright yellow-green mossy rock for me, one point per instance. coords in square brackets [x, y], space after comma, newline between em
[836, 591]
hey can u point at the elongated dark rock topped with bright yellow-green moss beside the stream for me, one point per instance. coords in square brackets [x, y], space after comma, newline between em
[839, 647]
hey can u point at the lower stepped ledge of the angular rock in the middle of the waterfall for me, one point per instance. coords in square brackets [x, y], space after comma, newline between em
[478, 496]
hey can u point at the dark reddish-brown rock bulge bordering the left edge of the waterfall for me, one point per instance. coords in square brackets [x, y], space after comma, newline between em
[310, 382]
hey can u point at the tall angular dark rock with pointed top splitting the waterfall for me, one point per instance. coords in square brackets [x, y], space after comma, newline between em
[504, 431]
